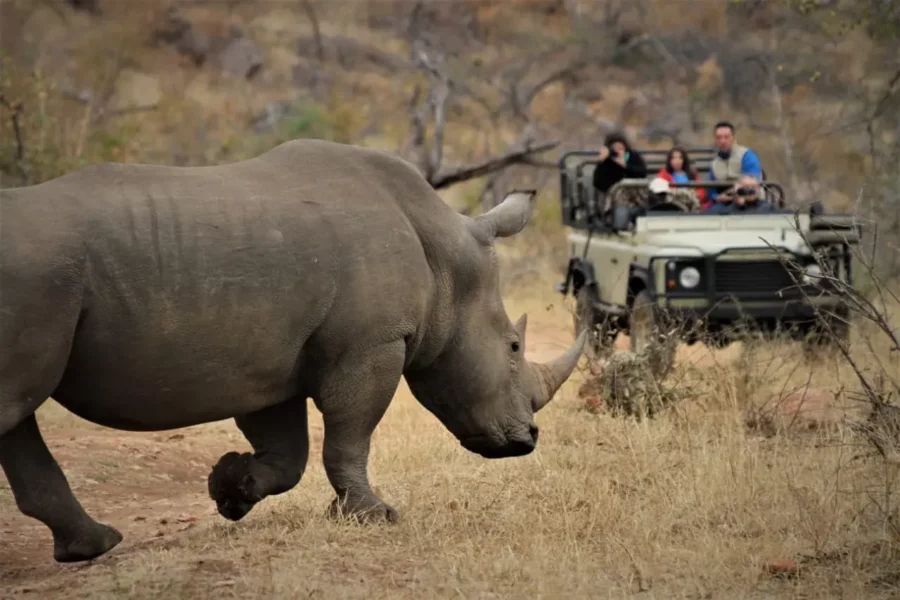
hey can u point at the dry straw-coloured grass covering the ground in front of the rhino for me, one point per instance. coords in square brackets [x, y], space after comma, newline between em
[692, 503]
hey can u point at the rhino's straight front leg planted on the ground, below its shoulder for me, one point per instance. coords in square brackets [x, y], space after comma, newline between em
[354, 399]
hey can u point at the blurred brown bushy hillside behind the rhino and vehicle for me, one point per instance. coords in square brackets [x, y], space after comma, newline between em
[812, 85]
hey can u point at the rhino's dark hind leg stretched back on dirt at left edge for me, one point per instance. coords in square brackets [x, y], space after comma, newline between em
[42, 492]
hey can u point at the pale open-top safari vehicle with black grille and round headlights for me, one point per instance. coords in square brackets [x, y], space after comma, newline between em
[652, 271]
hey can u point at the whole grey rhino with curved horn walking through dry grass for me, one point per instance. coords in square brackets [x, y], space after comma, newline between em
[147, 298]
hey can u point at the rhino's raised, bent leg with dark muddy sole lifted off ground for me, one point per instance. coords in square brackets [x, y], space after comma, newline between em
[280, 441]
